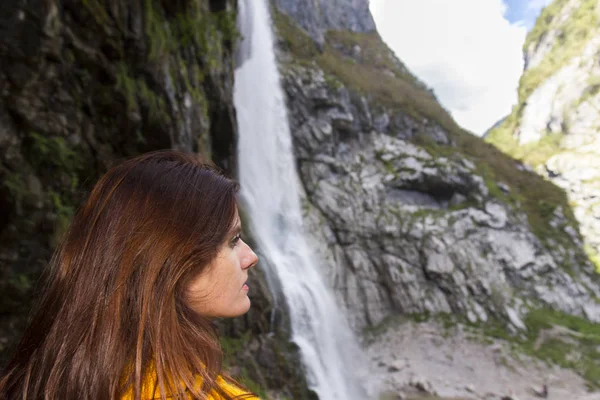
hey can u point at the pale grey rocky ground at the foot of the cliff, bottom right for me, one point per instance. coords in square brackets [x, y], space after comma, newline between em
[428, 361]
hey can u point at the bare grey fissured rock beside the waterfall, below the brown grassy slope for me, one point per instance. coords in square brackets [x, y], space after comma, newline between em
[399, 230]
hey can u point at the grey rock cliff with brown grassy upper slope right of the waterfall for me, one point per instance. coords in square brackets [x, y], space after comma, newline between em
[414, 214]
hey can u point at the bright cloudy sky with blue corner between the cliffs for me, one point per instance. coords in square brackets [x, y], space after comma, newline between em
[468, 51]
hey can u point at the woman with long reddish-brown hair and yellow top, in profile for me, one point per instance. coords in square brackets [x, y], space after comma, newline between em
[149, 260]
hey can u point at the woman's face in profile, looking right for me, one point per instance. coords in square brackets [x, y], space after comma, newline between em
[221, 290]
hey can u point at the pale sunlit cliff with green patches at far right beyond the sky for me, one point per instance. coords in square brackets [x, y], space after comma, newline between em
[555, 127]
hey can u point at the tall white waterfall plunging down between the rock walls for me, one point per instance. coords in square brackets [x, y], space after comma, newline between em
[271, 195]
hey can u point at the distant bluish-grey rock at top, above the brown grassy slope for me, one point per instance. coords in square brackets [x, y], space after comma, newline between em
[316, 17]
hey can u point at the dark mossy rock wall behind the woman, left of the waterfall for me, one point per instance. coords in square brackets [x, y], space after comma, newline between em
[82, 85]
